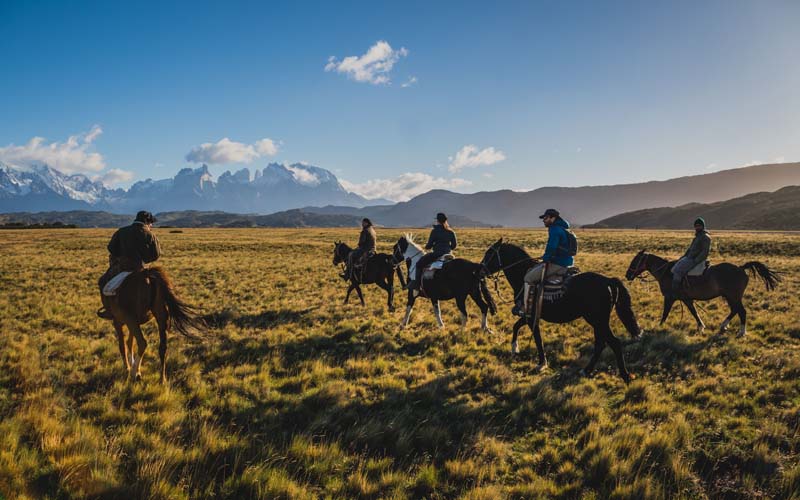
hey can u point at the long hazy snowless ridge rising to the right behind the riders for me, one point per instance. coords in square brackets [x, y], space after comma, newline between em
[582, 205]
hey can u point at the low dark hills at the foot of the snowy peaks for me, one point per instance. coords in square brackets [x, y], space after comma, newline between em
[187, 218]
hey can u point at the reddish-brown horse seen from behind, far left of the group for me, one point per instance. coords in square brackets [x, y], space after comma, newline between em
[143, 295]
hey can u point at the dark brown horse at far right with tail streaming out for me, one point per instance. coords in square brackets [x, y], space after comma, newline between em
[720, 280]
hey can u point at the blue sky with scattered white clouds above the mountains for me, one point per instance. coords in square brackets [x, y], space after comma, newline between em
[466, 95]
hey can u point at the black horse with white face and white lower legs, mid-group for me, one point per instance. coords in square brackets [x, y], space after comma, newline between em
[458, 279]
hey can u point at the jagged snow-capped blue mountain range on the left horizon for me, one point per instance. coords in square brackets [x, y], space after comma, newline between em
[276, 187]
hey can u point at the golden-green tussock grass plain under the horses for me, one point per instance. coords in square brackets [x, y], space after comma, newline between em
[294, 395]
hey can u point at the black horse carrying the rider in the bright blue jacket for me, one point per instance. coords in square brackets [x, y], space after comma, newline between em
[588, 295]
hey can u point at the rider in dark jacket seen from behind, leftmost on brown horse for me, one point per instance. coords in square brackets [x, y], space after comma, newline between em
[130, 249]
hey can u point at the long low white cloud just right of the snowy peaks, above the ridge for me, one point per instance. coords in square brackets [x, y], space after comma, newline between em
[403, 187]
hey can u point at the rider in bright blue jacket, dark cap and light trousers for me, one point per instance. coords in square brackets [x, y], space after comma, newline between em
[556, 259]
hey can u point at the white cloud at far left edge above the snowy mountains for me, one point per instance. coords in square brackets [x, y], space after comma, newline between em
[70, 157]
